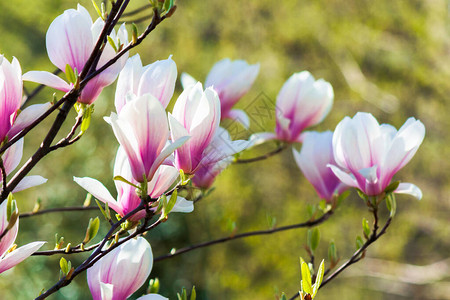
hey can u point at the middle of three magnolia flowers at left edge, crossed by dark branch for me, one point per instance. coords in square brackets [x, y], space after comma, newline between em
[11, 159]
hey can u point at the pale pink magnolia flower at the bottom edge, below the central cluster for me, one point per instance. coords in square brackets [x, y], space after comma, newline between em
[122, 271]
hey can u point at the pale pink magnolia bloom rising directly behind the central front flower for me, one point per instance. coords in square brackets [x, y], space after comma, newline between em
[157, 79]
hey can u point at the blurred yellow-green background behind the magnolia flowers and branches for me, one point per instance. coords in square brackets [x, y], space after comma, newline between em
[389, 58]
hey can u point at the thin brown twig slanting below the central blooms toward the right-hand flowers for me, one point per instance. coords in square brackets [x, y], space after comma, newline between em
[316, 222]
